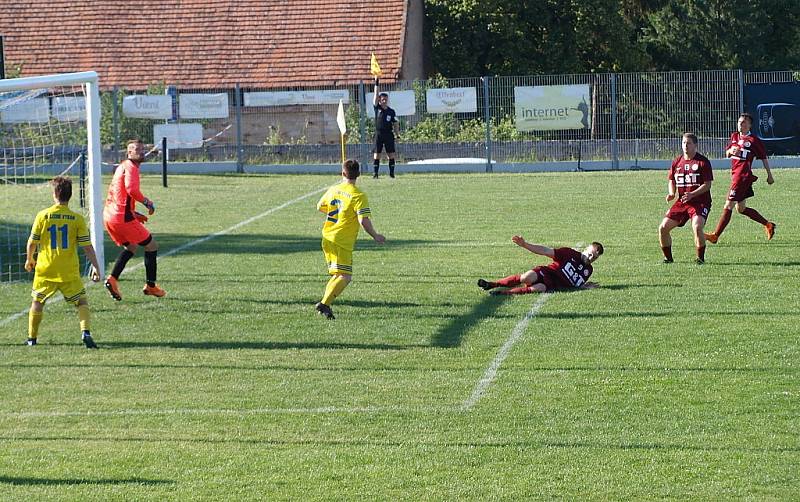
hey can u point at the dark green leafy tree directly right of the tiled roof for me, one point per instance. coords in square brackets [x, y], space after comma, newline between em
[507, 37]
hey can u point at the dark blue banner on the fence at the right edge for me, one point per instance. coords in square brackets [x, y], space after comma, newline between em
[776, 110]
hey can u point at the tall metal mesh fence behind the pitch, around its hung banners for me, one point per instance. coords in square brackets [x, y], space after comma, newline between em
[632, 116]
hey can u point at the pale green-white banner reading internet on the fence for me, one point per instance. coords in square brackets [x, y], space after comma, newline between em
[552, 107]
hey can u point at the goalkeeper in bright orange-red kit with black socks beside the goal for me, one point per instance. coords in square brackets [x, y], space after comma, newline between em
[125, 225]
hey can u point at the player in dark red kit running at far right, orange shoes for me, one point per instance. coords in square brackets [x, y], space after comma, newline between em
[743, 148]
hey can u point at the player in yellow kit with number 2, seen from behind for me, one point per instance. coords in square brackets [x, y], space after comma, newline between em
[346, 208]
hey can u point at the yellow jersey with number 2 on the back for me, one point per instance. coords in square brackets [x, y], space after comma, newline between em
[344, 203]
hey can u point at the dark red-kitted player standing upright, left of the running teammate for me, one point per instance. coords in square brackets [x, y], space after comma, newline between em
[690, 177]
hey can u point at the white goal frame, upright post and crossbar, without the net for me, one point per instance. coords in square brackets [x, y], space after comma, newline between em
[89, 81]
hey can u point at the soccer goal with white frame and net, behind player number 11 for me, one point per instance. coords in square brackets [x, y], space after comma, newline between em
[49, 126]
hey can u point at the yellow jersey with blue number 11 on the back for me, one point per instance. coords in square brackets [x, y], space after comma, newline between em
[58, 231]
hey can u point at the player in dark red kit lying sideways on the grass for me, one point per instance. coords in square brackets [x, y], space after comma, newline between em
[569, 270]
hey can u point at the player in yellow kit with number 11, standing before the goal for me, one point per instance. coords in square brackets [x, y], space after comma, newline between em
[57, 232]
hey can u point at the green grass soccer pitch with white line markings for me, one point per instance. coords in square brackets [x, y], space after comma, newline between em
[669, 381]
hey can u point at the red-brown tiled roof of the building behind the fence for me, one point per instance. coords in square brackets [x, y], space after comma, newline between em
[206, 44]
